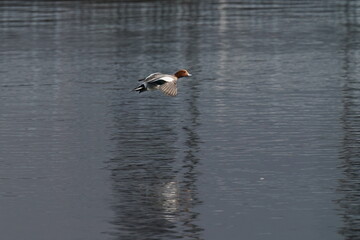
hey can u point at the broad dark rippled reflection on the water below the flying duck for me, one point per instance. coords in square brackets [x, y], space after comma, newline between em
[154, 173]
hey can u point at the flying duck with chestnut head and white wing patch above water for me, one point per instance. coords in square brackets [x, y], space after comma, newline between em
[164, 82]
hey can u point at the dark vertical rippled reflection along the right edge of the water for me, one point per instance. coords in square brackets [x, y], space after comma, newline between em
[349, 184]
